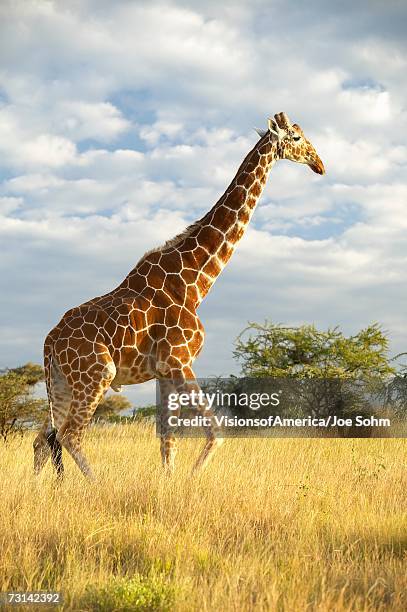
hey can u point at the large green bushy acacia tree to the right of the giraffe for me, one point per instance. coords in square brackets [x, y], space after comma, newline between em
[333, 372]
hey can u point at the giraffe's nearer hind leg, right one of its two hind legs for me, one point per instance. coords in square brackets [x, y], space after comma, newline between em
[85, 398]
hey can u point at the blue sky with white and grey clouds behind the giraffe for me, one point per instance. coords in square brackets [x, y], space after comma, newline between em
[122, 122]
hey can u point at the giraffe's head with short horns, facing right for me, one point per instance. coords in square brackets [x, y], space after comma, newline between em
[292, 143]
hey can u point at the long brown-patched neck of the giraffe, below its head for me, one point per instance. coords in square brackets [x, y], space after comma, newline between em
[207, 245]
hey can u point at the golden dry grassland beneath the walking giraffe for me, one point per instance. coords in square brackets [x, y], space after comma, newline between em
[282, 524]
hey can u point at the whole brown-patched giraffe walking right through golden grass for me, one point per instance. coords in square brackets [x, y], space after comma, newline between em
[148, 326]
